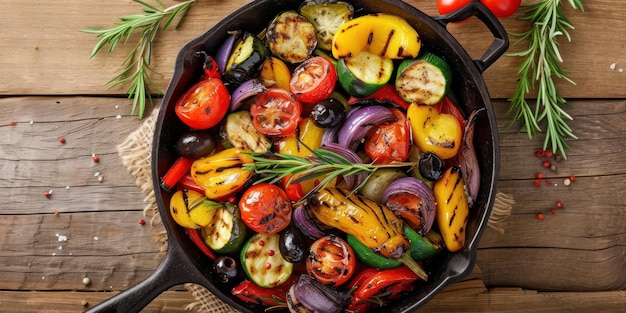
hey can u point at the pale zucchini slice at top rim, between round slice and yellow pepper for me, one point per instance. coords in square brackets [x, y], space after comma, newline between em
[327, 18]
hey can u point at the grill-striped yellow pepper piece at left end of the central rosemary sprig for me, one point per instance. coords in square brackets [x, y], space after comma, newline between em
[222, 174]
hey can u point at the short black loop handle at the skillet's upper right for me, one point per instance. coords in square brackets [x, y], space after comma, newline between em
[501, 39]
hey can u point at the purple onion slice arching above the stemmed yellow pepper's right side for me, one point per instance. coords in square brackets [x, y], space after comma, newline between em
[414, 186]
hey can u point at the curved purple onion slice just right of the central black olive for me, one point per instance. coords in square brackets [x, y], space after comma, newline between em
[359, 123]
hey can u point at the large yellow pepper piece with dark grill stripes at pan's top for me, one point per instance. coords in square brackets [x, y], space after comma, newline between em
[386, 35]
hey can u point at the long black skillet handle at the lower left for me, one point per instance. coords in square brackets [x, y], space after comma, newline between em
[169, 273]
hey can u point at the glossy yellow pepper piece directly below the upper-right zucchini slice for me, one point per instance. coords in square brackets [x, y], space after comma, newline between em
[439, 133]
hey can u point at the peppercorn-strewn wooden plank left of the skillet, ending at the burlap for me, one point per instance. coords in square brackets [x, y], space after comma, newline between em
[34, 161]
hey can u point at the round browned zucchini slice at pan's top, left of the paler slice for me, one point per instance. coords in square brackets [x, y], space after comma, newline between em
[291, 37]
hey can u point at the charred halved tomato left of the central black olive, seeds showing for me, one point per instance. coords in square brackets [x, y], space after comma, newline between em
[275, 112]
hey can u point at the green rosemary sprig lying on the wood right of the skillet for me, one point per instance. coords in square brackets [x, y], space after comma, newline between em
[541, 65]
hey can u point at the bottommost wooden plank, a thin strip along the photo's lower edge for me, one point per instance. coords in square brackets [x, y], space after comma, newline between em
[510, 300]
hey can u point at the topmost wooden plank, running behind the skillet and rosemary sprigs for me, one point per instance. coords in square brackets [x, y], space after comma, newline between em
[48, 62]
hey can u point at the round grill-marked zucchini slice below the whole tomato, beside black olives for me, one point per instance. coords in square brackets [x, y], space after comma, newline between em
[262, 261]
